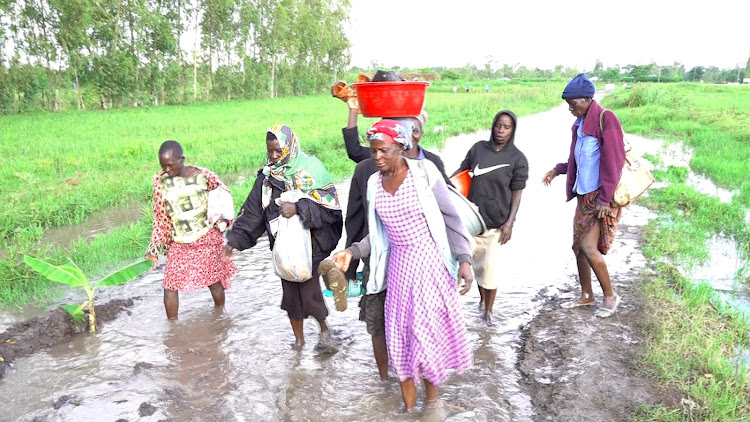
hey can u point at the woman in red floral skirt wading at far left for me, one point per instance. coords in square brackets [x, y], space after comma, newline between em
[181, 230]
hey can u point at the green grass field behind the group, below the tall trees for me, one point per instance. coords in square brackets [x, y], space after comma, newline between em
[62, 167]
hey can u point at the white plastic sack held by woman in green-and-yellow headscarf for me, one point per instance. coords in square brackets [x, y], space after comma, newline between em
[292, 250]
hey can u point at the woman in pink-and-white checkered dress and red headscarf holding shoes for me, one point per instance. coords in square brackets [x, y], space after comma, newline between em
[417, 239]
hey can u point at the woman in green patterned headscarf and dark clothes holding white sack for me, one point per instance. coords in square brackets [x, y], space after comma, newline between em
[292, 188]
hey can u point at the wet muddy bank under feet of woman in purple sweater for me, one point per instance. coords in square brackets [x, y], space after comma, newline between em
[577, 367]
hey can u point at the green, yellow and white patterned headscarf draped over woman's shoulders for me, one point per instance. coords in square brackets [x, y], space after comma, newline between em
[298, 171]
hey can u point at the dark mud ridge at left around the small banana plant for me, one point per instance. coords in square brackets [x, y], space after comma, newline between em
[25, 338]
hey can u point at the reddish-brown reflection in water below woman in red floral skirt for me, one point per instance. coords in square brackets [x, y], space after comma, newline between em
[196, 379]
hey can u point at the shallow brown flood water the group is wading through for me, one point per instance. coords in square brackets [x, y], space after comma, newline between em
[237, 364]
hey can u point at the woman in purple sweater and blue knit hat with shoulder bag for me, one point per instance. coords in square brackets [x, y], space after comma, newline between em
[597, 154]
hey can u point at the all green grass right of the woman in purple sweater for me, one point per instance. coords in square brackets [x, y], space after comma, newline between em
[693, 341]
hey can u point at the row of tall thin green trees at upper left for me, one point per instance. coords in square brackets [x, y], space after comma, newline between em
[115, 53]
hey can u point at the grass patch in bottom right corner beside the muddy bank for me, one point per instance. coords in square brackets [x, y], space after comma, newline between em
[692, 339]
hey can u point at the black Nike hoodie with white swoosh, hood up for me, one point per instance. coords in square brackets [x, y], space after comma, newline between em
[495, 175]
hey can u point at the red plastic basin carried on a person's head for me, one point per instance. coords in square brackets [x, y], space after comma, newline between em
[391, 99]
